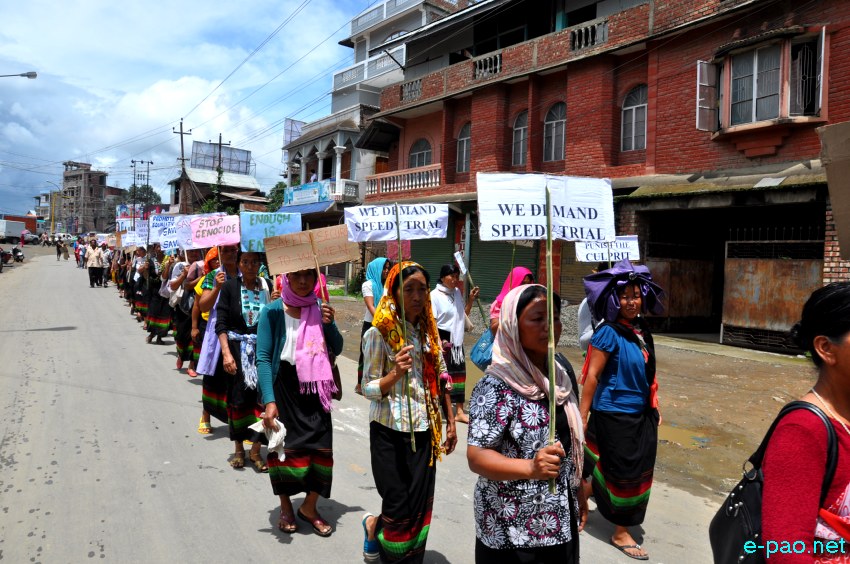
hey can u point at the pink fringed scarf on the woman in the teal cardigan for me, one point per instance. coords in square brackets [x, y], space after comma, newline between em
[311, 351]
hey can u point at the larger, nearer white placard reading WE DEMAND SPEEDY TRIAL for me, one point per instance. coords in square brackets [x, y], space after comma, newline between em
[513, 206]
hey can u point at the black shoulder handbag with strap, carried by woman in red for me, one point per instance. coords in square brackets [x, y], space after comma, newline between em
[735, 531]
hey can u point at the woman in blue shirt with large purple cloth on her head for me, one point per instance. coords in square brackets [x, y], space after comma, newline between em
[619, 405]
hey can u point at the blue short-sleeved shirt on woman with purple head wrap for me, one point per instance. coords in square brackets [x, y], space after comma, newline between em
[622, 386]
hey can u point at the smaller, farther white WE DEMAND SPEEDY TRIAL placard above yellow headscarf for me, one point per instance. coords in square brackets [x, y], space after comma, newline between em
[378, 223]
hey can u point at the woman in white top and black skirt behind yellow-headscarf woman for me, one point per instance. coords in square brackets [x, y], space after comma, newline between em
[450, 312]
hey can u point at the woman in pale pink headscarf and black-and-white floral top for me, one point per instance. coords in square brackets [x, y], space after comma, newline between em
[516, 518]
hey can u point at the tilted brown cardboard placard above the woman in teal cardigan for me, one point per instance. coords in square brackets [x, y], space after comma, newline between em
[300, 251]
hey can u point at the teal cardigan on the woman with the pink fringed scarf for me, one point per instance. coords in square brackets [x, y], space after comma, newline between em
[271, 336]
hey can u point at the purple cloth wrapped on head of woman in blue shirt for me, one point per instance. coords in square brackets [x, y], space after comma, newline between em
[601, 290]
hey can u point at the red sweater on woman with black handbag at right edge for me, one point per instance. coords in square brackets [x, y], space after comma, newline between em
[794, 466]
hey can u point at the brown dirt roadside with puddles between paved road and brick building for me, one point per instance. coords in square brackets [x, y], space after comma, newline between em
[716, 402]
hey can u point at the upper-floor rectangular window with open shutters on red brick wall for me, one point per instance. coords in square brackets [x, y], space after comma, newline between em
[771, 81]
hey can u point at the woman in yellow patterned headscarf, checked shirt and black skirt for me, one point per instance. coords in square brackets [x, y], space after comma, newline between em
[403, 375]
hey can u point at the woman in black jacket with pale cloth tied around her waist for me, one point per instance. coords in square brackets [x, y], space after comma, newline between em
[237, 314]
